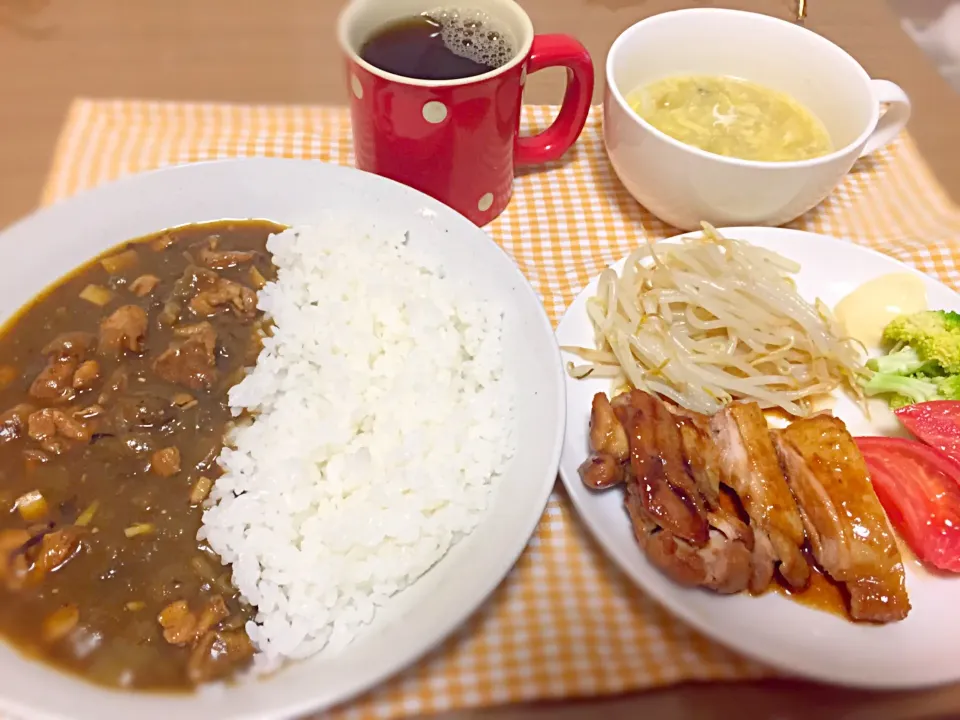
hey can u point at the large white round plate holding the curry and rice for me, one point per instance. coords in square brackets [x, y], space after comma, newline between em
[42, 248]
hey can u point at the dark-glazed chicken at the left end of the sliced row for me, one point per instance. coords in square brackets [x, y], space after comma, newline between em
[683, 528]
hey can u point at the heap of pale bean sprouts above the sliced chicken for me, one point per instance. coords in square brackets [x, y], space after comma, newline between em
[710, 319]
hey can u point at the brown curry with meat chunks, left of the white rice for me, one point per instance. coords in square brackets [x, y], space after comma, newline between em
[113, 409]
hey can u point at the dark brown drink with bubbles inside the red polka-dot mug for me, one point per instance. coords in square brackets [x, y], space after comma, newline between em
[442, 44]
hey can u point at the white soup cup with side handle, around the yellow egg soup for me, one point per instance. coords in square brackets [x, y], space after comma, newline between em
[683, 185]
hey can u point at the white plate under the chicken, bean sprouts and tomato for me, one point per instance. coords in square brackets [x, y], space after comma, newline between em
[923, 649]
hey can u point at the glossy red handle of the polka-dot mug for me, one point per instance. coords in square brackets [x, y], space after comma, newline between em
[559, 51]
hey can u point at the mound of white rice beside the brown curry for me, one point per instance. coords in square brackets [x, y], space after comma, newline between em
[382, 423]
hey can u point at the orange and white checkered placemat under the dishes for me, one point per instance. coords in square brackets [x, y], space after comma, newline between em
[565, 622]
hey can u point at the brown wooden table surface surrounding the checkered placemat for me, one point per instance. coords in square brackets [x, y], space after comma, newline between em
[283, 52]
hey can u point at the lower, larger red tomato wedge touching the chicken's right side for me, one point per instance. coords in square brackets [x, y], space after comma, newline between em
[920, 491]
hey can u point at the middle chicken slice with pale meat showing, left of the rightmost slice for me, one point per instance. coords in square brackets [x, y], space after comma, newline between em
[750, 467]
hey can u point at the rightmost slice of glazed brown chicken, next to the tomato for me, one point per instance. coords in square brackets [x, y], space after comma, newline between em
[848, 529]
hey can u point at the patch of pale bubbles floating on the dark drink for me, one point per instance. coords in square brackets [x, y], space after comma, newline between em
[474, 35]
